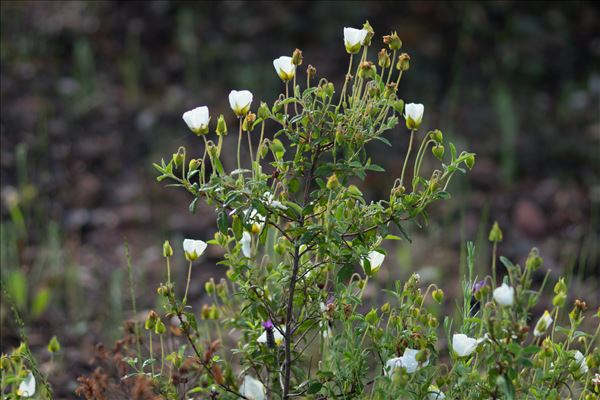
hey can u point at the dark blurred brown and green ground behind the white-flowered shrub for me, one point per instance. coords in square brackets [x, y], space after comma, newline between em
[92, 94]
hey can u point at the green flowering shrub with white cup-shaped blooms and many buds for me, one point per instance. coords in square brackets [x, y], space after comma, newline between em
[301, 243]
